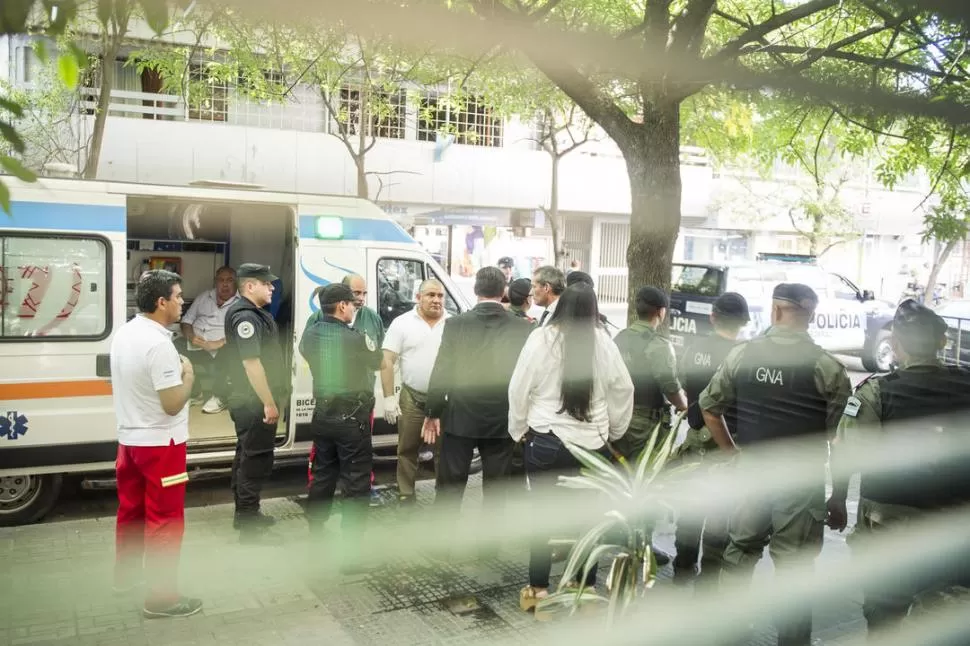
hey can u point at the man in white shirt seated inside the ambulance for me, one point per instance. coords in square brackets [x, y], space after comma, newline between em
[204, 329]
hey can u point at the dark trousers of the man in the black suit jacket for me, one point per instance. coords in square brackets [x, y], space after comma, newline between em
[455, 462]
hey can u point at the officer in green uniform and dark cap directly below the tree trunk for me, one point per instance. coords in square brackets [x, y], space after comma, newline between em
[650, 358]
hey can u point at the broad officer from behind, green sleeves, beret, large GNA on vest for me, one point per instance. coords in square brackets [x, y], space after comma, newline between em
[790, 392]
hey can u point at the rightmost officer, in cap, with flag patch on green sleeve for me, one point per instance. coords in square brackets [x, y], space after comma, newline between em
[920, 407]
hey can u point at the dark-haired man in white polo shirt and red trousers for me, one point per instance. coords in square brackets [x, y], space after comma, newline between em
[151, 387]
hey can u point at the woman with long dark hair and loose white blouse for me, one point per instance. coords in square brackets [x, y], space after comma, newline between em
[570, 385]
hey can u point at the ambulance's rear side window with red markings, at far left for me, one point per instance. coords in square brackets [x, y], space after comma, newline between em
[56, 287]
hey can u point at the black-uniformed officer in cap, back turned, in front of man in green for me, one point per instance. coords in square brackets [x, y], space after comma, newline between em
[342, 362]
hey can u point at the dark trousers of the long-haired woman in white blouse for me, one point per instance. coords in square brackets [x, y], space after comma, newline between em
[546, 458]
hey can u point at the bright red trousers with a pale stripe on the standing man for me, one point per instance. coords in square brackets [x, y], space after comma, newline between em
[151, 519]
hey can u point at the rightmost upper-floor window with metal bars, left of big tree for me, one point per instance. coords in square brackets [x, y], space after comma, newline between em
[469, 119]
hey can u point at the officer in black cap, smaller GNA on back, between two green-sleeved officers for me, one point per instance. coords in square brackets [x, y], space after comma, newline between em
[699, 361]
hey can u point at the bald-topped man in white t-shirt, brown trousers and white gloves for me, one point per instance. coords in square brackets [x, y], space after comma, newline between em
[413, 338]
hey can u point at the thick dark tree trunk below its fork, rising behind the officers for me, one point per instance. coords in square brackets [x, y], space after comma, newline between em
[653, 165]
